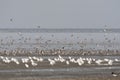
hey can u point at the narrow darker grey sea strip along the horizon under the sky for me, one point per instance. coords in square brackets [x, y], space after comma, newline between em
[72, 30]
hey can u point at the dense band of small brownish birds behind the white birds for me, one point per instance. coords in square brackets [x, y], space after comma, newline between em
[54, 52]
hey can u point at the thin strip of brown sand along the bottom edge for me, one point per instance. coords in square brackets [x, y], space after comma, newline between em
[81, 78]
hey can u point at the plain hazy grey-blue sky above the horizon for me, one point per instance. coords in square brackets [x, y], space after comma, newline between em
[59, 13]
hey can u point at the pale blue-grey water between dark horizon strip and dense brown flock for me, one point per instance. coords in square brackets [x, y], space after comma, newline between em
[58, 40]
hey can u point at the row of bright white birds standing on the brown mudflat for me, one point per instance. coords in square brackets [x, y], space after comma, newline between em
[27, 61]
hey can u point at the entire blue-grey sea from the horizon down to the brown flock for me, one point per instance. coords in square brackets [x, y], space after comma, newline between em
[72, 38]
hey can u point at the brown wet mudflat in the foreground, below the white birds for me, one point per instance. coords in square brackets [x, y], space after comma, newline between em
[60, 71]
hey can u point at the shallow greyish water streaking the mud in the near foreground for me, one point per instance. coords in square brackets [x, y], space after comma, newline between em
[63, 72]
